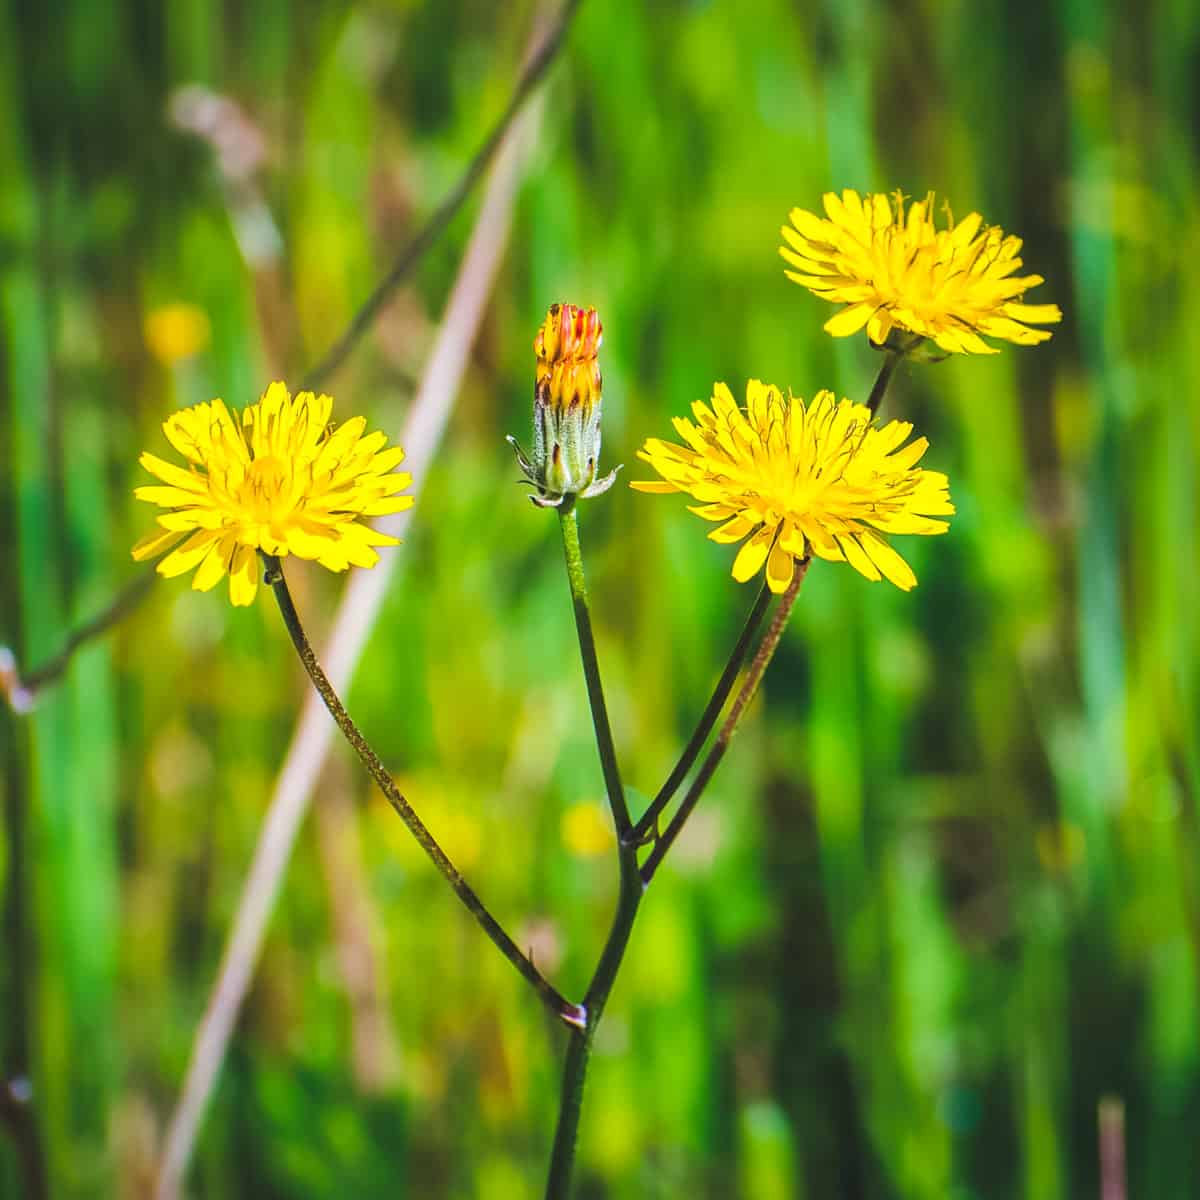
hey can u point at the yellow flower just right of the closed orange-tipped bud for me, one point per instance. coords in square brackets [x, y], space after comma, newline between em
[797, 481]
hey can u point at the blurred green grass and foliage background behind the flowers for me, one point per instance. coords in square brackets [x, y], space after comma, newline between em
[943, 898]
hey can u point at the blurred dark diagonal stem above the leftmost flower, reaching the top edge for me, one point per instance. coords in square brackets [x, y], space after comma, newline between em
[535, 70]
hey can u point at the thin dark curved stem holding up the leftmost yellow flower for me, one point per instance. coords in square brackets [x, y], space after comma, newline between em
[557, 1004]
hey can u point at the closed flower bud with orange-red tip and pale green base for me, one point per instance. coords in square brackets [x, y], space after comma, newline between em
[566, 409]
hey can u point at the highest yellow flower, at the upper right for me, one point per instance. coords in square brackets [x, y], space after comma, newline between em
[895, 269]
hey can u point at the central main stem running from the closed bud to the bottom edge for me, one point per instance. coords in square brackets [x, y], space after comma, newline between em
[579, 1053]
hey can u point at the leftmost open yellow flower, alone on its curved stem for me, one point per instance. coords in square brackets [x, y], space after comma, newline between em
[277, 478]
